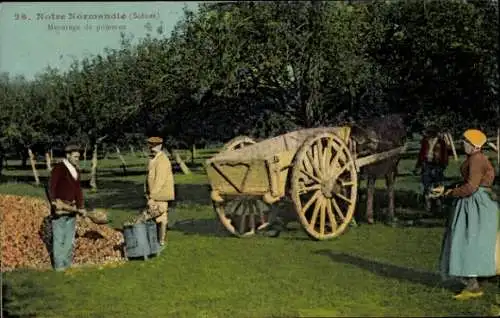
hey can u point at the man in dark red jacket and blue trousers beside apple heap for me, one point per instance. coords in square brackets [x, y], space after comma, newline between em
[65, 186]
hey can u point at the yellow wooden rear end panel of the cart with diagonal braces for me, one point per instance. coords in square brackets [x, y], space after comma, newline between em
[232, 178]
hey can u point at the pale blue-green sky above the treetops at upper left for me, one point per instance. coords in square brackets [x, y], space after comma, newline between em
[31, 37]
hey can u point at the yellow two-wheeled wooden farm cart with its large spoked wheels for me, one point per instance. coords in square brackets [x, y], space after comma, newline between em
[316, 168]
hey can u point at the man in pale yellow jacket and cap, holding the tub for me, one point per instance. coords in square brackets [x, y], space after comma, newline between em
[159, 186]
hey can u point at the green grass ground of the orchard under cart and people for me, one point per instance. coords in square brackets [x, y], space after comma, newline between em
[369, 271]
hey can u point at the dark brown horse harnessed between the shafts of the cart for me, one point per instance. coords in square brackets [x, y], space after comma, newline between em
[374, 136]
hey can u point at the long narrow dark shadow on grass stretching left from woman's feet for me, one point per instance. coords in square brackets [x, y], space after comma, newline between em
[429, 279]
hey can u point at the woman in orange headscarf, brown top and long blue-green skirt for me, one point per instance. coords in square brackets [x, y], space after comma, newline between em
[468, 249]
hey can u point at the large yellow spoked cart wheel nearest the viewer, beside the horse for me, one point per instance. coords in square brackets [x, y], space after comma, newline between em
[324, 186]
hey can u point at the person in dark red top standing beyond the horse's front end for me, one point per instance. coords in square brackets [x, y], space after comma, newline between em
[432, 162]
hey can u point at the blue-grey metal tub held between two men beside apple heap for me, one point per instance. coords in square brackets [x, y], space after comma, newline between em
[136, 240]
